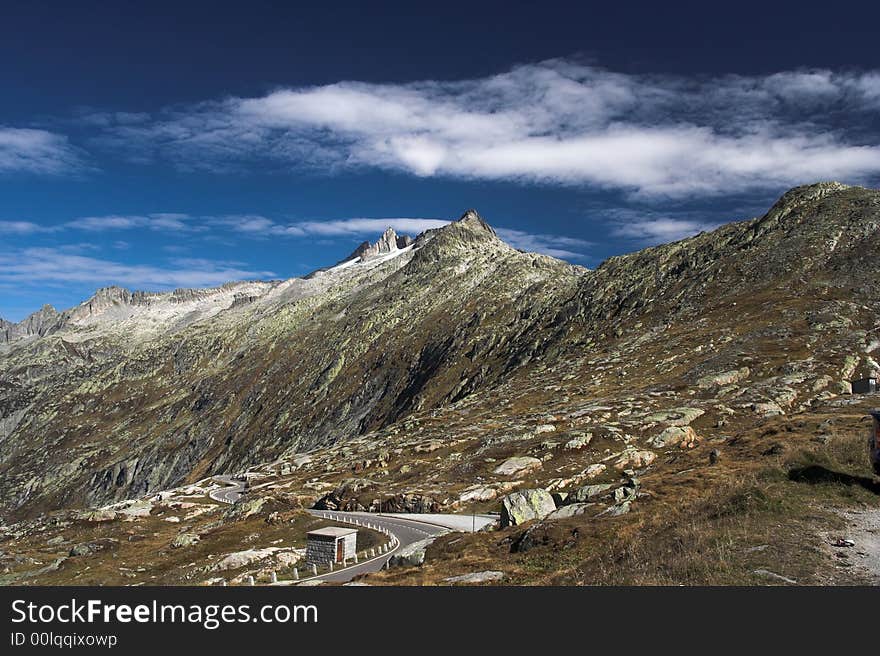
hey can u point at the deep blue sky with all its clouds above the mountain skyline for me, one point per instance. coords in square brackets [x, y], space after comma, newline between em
[189, 144]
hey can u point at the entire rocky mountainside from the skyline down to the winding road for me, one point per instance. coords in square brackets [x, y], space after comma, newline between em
[457, 347]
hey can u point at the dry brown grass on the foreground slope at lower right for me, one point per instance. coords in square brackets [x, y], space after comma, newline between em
[765, 506]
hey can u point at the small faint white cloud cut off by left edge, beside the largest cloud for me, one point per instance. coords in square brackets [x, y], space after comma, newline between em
[36, 151]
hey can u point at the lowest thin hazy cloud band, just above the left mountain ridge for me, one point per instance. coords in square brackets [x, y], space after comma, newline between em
[52, 265]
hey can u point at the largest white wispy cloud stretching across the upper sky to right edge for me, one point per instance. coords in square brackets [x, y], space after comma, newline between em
[557, 122]
